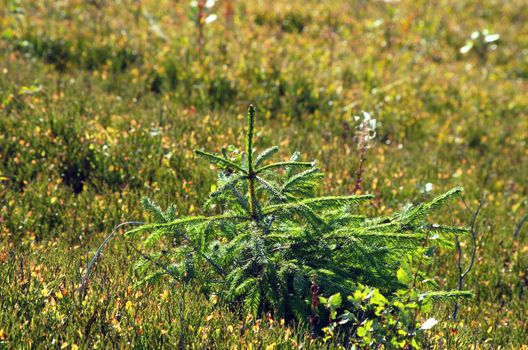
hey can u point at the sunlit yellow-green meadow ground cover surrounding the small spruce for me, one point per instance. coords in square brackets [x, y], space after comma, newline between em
[97, 110]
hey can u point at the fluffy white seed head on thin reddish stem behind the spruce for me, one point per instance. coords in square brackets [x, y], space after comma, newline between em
[364, 136]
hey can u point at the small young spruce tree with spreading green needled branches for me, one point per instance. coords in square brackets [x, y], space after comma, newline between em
[274, 236]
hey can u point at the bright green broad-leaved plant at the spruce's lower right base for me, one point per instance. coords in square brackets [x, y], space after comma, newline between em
[369, 319]
